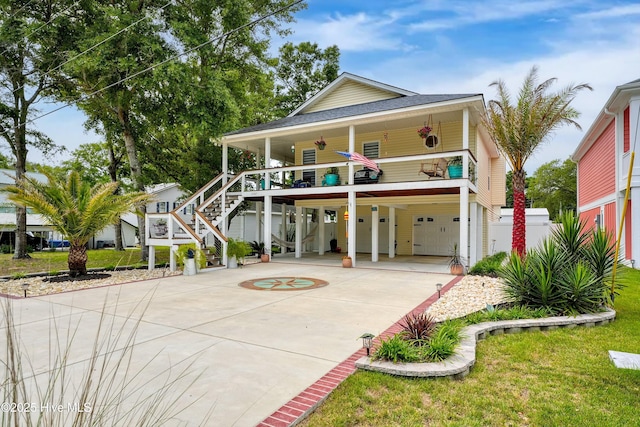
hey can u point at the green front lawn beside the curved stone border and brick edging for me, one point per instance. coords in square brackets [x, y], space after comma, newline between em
[556, 378]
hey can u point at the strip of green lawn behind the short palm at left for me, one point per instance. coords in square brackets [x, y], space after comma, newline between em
[47, 261]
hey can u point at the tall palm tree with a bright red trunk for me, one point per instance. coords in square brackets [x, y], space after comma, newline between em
[519, 129]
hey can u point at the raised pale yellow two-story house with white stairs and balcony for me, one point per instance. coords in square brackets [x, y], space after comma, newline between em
[415, 205]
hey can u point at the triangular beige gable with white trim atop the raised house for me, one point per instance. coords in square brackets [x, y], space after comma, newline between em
[349, 89]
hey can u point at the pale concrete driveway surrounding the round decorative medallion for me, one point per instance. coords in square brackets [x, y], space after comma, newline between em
[254, 350]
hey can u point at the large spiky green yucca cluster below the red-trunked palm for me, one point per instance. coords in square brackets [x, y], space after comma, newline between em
[568, 274]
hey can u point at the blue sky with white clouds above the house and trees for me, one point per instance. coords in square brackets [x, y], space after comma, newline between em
[449, 46]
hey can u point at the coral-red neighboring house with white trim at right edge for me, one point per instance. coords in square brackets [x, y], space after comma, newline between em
[603, 158]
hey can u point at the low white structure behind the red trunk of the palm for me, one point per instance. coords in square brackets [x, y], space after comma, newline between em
[537, 223]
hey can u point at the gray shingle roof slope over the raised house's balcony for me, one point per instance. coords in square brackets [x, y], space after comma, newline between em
[352, 111]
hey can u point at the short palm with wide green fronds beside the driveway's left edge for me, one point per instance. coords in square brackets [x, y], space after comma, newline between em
[75, 209]
